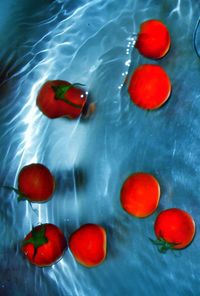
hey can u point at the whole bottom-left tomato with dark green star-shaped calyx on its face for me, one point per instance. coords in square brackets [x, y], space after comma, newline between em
[44, 245]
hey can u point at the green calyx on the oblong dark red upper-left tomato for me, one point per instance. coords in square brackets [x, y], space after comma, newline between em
[60, 92]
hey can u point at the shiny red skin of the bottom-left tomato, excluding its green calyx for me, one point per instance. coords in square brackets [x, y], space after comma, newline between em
[51, 251]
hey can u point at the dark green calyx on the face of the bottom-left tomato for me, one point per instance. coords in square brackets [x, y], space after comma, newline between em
[38, 238]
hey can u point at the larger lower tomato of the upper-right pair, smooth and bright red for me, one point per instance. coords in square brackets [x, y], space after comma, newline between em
[149, 87]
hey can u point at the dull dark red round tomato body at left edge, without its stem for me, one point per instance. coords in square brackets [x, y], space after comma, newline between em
[36, 182]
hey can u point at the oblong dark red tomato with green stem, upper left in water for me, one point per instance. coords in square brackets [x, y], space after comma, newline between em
[58, 98]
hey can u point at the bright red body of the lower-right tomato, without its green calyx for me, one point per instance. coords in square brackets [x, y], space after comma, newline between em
[175, 226]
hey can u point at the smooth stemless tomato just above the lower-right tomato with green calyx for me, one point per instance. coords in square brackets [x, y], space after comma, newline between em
[140, 195]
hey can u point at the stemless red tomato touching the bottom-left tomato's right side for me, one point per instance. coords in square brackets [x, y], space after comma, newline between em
[88, 244]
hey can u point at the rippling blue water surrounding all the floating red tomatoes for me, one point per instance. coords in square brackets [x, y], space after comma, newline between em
[91, 42]
